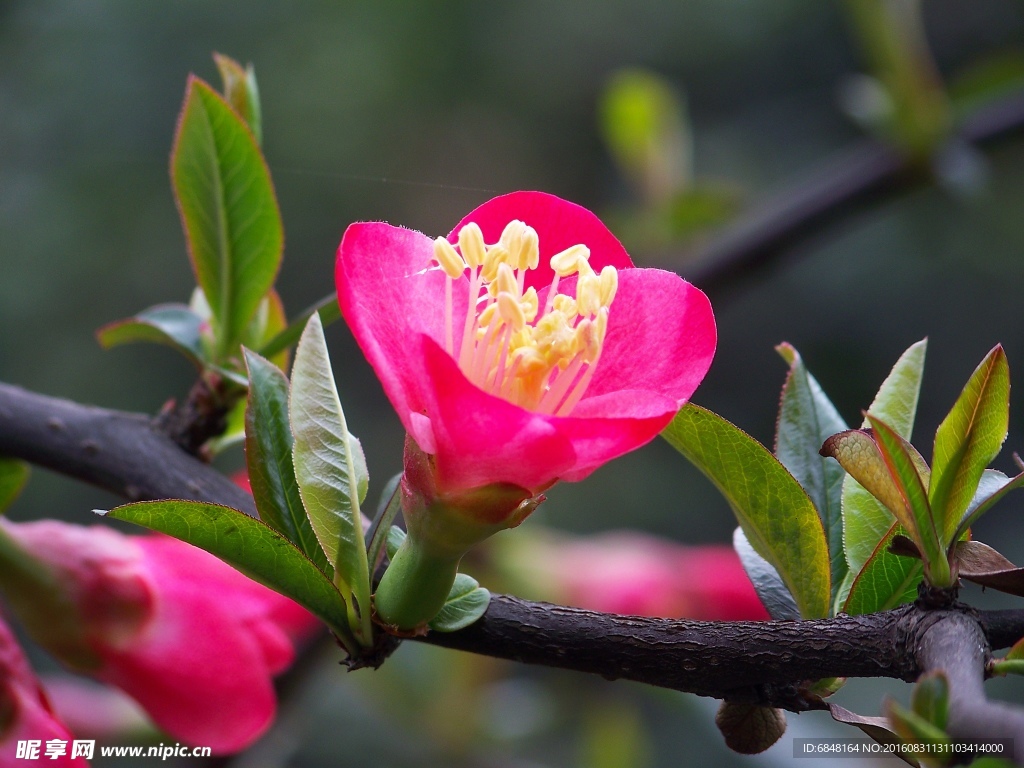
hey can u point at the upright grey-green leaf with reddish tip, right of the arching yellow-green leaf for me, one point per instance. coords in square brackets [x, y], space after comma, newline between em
[806, 419]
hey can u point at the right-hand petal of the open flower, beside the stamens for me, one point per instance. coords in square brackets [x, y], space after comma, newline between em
[661, 337]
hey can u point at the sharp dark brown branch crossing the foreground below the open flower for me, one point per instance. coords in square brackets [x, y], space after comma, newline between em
[743, 661]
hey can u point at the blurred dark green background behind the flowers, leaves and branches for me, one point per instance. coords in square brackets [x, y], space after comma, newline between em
[414, 114]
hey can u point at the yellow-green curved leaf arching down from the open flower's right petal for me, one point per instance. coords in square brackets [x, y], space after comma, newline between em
[774, 510]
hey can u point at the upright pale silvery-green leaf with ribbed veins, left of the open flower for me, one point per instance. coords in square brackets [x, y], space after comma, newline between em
[330, 467]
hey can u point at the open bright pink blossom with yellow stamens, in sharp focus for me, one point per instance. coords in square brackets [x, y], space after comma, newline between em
[547, 377]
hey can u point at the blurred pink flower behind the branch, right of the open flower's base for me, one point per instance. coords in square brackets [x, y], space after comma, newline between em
[636, 575]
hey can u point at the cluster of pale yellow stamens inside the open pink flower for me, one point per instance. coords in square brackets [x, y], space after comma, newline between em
[542, 361]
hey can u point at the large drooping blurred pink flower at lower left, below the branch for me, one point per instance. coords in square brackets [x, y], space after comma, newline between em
[190, 638]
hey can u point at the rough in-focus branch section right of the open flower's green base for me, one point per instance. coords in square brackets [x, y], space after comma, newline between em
[758, 662]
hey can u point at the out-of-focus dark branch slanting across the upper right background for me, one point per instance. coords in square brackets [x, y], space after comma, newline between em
[869, 173]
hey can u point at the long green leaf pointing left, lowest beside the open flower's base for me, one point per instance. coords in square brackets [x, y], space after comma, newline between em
[252, 547]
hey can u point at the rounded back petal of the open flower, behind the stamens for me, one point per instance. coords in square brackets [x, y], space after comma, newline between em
[560, 225]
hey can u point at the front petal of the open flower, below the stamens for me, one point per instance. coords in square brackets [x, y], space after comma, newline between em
[482, 439]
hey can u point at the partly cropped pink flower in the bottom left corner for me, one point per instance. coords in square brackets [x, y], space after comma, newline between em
[26, 714]
